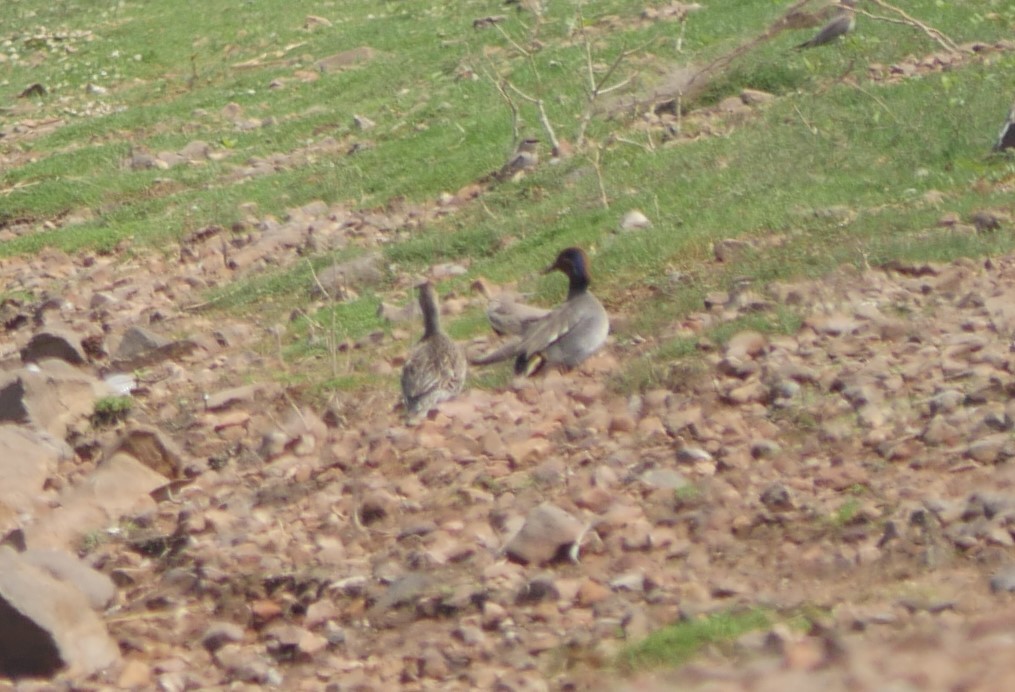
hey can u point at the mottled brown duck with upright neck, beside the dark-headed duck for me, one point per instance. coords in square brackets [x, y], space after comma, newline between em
[437, 369]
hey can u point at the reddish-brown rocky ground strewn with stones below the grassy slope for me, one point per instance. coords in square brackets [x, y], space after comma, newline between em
[857, 471]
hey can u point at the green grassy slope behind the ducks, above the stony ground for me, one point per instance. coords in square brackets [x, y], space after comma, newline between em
[871, 149]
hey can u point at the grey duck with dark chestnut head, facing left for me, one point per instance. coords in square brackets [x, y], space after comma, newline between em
[566, 336]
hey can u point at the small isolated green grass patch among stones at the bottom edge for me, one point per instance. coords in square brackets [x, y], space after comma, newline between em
[678, 644]
